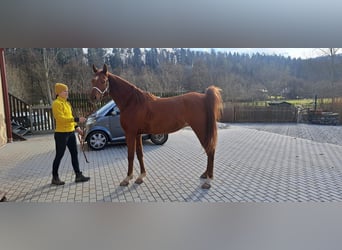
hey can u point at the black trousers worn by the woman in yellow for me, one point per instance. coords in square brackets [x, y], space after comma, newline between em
[63, 140]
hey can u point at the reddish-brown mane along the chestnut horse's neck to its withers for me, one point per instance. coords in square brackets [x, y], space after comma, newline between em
[137, 94]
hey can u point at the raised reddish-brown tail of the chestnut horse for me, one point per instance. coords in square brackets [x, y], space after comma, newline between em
[214, 112]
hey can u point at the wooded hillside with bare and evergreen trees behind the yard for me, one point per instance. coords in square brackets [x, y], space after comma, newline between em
[32, 72]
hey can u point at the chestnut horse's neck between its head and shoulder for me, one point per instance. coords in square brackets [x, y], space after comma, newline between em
[120, 91]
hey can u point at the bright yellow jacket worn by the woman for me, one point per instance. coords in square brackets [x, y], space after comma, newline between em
[62, 112]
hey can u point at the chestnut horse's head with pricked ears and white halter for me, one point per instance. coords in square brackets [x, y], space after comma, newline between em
[99, 83]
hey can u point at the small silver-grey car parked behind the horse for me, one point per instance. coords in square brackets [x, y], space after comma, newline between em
[103, 127]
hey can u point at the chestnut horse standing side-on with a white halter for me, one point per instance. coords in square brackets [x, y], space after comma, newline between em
[144, 113]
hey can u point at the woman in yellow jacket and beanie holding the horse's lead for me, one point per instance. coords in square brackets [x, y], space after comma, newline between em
[66, 125]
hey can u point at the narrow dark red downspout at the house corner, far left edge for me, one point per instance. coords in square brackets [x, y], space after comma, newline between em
[5, 96]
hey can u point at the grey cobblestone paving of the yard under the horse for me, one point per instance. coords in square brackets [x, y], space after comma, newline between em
[254, 163]
